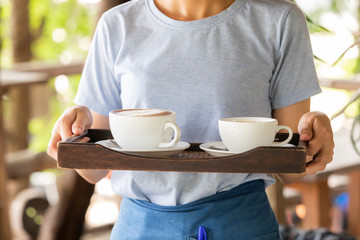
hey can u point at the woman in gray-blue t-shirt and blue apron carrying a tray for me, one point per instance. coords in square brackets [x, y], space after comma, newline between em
[205, 60]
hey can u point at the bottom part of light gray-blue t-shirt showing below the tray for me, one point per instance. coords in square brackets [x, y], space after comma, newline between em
[178, 188]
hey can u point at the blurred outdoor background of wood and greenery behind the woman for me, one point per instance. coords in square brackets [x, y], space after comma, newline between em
[43, 45]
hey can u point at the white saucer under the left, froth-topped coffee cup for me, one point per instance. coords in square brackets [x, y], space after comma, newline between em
[159, 152]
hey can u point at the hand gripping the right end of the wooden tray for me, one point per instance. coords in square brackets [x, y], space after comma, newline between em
[316, 133]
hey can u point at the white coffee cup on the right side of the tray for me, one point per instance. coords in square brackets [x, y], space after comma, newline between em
[240, 134]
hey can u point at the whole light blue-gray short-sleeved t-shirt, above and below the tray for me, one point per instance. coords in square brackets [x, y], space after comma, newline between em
[245, 61]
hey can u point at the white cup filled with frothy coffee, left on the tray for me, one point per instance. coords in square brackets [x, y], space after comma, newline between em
[144, 129]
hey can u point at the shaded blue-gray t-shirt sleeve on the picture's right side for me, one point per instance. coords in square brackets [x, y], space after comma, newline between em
[294, 78]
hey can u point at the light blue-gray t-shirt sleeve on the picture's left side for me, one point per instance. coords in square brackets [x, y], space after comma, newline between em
[99, 89]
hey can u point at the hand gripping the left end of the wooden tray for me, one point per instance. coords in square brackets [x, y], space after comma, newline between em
[74, 121]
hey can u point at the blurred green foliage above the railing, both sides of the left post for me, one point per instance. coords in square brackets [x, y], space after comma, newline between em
[45, 17]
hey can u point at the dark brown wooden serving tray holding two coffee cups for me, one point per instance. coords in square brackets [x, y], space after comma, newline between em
[72, 154]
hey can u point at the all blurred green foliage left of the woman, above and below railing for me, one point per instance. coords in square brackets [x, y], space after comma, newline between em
[76, 22]
